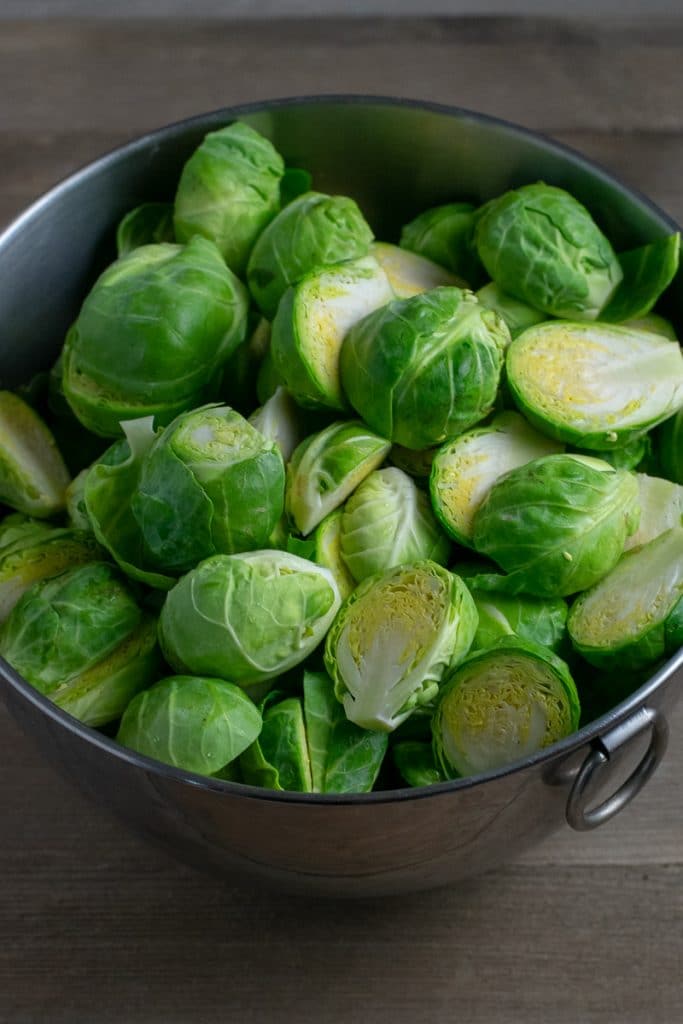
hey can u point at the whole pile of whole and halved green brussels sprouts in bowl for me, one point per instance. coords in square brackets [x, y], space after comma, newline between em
[315, 513]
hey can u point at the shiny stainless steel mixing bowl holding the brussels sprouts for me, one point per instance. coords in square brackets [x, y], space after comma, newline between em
[396, 158]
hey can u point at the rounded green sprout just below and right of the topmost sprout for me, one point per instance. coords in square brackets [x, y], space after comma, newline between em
[314, 231]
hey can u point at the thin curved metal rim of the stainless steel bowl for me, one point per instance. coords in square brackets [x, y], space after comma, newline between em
[557, 752]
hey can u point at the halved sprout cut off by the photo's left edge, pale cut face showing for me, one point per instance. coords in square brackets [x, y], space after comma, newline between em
[33, 476]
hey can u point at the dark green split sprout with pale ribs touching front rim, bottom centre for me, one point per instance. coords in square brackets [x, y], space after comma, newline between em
[311, 747]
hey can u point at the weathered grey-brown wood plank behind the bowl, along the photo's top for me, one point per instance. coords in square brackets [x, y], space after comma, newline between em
[551, 75]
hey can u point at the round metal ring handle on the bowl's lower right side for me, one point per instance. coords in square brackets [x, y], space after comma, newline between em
[579, 816]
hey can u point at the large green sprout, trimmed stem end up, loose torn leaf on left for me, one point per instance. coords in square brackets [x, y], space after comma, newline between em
[208, 484]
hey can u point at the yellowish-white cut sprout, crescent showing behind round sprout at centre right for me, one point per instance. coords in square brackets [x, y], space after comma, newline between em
[465, 470]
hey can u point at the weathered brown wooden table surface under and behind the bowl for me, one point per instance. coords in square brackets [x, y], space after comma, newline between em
[98, 926]
